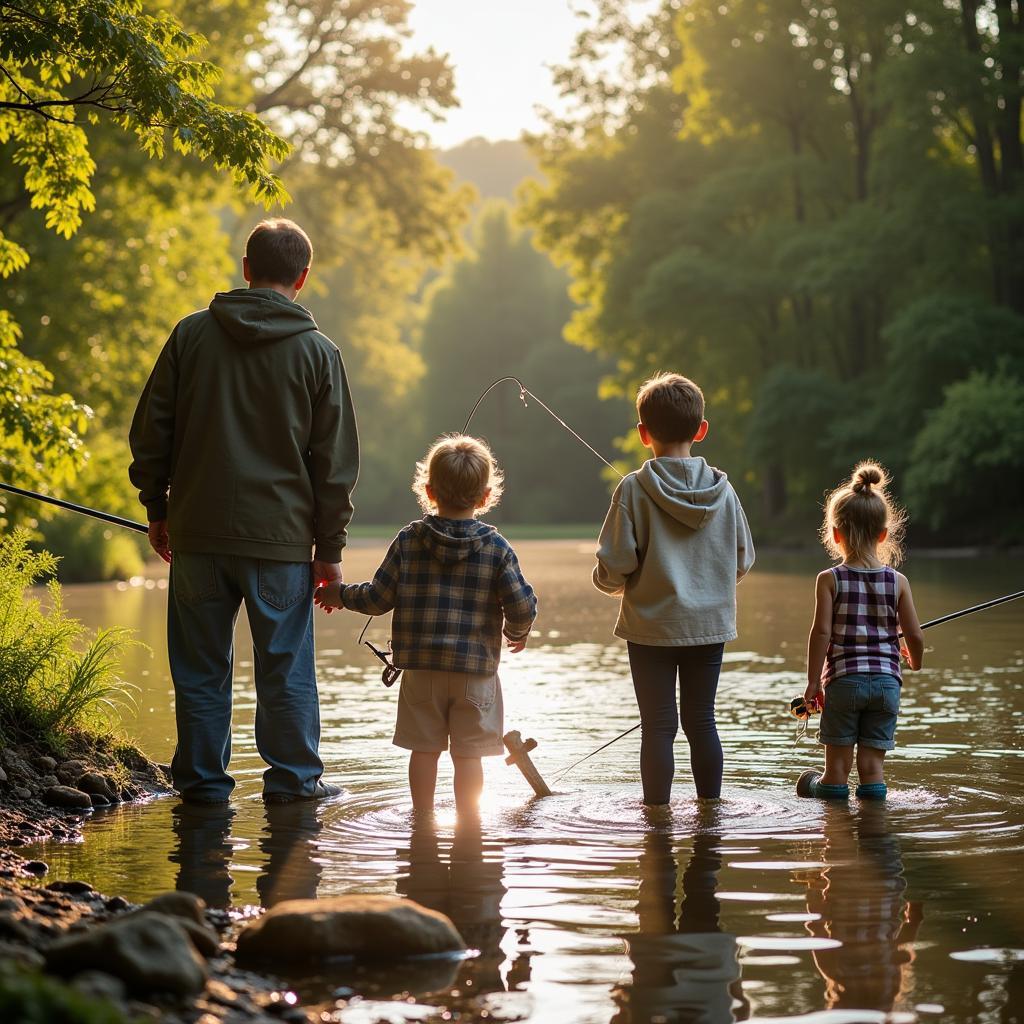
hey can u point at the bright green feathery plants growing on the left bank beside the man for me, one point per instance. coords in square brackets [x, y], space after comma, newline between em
[55, 680]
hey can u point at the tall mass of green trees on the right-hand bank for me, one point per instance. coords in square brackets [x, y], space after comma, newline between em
[804, 208]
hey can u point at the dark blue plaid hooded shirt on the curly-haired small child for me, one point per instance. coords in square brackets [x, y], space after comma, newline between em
[451, 584]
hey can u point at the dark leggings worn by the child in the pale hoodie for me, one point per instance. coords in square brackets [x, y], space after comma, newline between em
[655, 673]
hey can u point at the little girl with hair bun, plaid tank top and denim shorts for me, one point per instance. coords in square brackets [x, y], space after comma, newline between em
[854, 652]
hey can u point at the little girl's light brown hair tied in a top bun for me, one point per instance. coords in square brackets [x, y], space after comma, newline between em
[860, 510]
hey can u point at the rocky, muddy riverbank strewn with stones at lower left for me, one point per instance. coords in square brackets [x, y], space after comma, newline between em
[55, 935]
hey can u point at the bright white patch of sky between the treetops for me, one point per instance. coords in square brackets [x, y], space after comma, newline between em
[501, 51]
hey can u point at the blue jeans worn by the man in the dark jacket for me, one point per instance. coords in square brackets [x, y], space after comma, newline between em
[205, 596]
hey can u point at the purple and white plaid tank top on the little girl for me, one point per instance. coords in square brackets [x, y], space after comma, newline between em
[865, 624]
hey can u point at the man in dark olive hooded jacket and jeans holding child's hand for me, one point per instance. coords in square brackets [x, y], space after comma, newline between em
[245, 455]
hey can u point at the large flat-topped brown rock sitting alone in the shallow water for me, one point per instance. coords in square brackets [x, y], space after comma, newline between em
[369, 927]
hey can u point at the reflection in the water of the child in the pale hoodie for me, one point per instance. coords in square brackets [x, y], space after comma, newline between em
[685, 967]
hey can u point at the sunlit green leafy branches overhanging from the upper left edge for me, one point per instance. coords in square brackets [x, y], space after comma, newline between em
[67, 67]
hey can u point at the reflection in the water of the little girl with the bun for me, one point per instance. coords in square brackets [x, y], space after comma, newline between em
[860, 901]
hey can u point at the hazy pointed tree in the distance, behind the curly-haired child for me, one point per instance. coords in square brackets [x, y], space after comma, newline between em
[501, 311]
